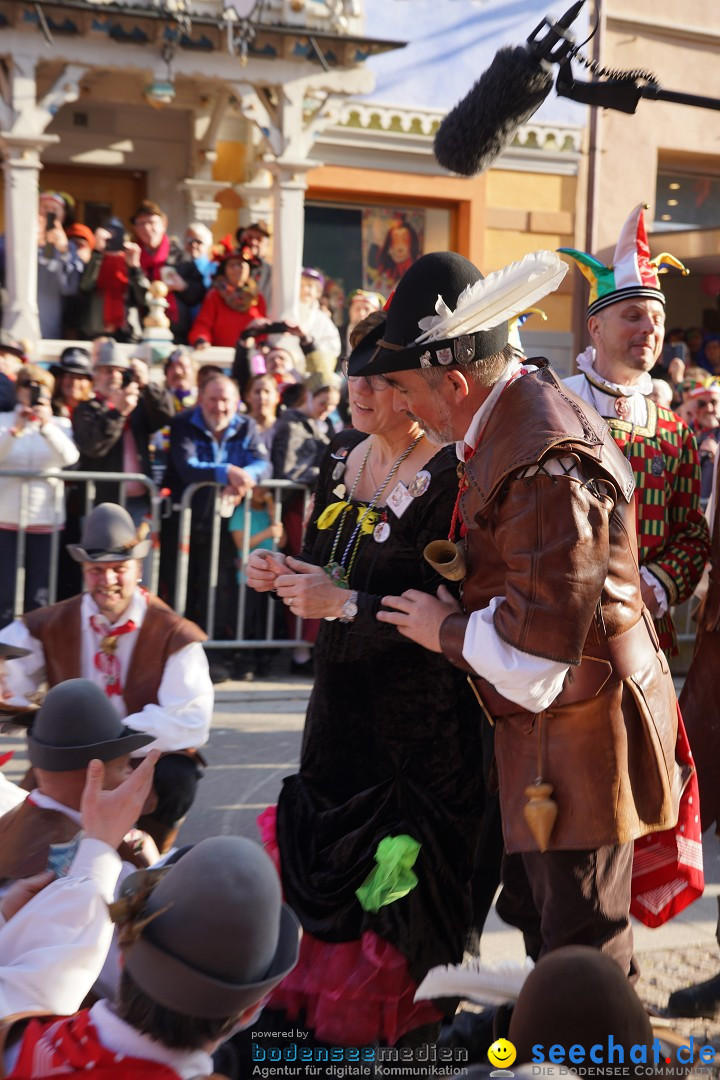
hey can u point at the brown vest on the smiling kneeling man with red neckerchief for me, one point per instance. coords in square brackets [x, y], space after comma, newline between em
[162, 633]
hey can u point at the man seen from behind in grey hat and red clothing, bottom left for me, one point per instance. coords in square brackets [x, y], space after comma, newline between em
[205, 942]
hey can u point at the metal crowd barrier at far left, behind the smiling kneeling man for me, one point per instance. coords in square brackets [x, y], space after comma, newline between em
[56, 479]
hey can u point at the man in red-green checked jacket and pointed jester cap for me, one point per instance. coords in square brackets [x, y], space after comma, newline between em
[627, 326]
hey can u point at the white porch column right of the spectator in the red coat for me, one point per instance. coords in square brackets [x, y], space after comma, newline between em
[290, 185]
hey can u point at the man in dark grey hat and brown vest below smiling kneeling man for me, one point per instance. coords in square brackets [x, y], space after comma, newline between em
[76, 725]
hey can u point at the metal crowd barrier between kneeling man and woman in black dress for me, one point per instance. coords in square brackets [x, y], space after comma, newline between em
[220, 522]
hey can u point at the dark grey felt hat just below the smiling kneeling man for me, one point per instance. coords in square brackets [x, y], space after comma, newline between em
[77, 724]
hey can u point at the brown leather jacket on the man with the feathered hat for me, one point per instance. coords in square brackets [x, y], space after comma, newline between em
[563, 553]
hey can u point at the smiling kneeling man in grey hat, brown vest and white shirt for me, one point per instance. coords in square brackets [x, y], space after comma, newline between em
[147, 660]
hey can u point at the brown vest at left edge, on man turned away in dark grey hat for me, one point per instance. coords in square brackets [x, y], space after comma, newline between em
[26, 834]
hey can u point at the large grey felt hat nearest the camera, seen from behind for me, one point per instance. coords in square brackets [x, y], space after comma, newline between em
[222, 939]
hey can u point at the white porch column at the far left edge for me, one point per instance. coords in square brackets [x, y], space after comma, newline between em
[22, 167]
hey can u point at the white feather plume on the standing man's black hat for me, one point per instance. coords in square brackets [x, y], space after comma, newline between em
[496, 299]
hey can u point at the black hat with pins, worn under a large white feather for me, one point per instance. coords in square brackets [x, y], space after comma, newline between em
[393, 347]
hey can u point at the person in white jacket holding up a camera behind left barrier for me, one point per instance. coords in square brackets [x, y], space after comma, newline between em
[32, 439]
